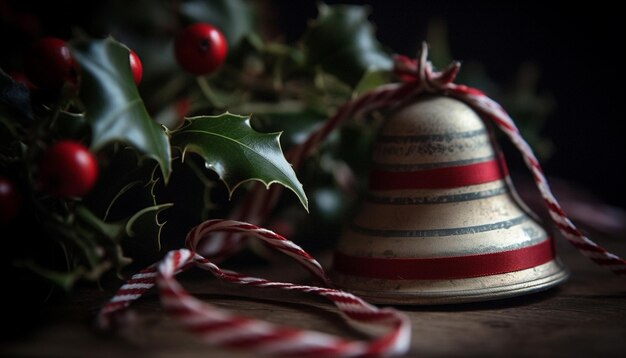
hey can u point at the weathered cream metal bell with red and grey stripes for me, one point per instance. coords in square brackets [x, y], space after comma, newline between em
[441, 221]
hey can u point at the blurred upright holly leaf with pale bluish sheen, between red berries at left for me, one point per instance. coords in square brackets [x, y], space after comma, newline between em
[112, 103]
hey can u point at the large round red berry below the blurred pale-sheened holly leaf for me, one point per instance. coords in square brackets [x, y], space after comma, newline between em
[68, 169]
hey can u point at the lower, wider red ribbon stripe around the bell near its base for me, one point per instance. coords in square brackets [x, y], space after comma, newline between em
[445, 268]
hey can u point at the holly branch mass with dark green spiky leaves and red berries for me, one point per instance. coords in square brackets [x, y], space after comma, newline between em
[99, 148]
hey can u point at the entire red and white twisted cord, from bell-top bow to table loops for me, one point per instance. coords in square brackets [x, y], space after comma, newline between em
[221, 328]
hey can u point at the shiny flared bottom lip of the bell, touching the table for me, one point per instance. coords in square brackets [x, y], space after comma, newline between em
[516, 289]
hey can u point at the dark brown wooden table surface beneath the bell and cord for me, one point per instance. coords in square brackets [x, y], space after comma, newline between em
[586, 316]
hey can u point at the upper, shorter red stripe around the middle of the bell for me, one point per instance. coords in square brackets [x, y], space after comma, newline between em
[440, 178]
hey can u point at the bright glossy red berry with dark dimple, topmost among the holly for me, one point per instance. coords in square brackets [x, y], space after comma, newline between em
[200, 48]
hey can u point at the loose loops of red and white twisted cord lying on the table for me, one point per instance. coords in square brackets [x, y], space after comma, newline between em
[391, 329]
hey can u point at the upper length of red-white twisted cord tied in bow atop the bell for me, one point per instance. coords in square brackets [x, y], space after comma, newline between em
[419, 77]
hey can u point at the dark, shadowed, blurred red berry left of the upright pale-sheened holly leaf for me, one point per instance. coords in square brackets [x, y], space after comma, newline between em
[49, 63]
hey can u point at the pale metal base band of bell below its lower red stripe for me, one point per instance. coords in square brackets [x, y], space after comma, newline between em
[433, 292]
